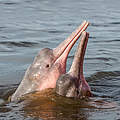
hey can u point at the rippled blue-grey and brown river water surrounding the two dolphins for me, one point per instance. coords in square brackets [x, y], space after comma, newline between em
[26, 26]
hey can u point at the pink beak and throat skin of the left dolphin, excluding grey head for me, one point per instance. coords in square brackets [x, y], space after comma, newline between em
[60, 62]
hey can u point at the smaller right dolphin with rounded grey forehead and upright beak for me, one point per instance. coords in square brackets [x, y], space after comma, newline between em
[73, 83]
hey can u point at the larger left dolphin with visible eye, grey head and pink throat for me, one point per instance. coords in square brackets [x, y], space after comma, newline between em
[47, 66]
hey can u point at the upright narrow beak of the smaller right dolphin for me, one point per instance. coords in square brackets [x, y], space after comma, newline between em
[76, 69]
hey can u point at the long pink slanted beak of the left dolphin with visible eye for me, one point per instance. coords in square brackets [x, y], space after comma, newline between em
[62, 51]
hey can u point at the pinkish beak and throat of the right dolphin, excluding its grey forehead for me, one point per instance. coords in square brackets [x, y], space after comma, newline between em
[77, 67]
